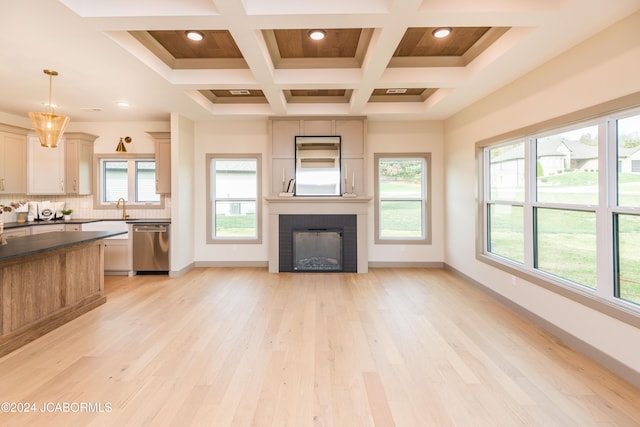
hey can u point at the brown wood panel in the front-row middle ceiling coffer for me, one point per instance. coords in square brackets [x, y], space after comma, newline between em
[338, 43]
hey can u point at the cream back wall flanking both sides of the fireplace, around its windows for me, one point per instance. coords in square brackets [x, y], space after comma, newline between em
[251, 136]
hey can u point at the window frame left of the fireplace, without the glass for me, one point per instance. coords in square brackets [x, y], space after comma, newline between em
[210, 198]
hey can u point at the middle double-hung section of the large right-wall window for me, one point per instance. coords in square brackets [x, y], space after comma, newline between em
[564, 206]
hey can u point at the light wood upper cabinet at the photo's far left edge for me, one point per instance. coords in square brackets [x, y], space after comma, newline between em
[13, 160]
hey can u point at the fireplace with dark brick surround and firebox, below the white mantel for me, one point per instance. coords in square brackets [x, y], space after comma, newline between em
[322, 243]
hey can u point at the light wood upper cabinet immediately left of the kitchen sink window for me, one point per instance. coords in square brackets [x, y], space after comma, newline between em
[79, 162]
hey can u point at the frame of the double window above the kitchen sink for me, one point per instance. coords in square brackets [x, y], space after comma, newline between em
[98, 199]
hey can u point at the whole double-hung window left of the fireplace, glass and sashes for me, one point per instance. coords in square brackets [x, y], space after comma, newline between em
[233, 187]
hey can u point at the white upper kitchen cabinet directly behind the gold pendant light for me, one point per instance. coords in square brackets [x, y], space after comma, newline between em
[45, 168]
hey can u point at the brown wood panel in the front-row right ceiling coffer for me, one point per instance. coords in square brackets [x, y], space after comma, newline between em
[420, 42]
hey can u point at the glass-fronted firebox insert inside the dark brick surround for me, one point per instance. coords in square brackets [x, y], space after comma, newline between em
[317, 249]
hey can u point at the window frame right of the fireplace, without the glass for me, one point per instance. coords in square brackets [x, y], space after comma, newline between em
[425, 200]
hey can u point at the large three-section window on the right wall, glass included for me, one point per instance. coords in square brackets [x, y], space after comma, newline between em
[562, 207]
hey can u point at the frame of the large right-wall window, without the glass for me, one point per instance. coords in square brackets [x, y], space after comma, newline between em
[601, 299]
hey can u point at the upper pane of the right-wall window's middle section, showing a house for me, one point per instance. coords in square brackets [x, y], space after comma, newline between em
[567, 167]
